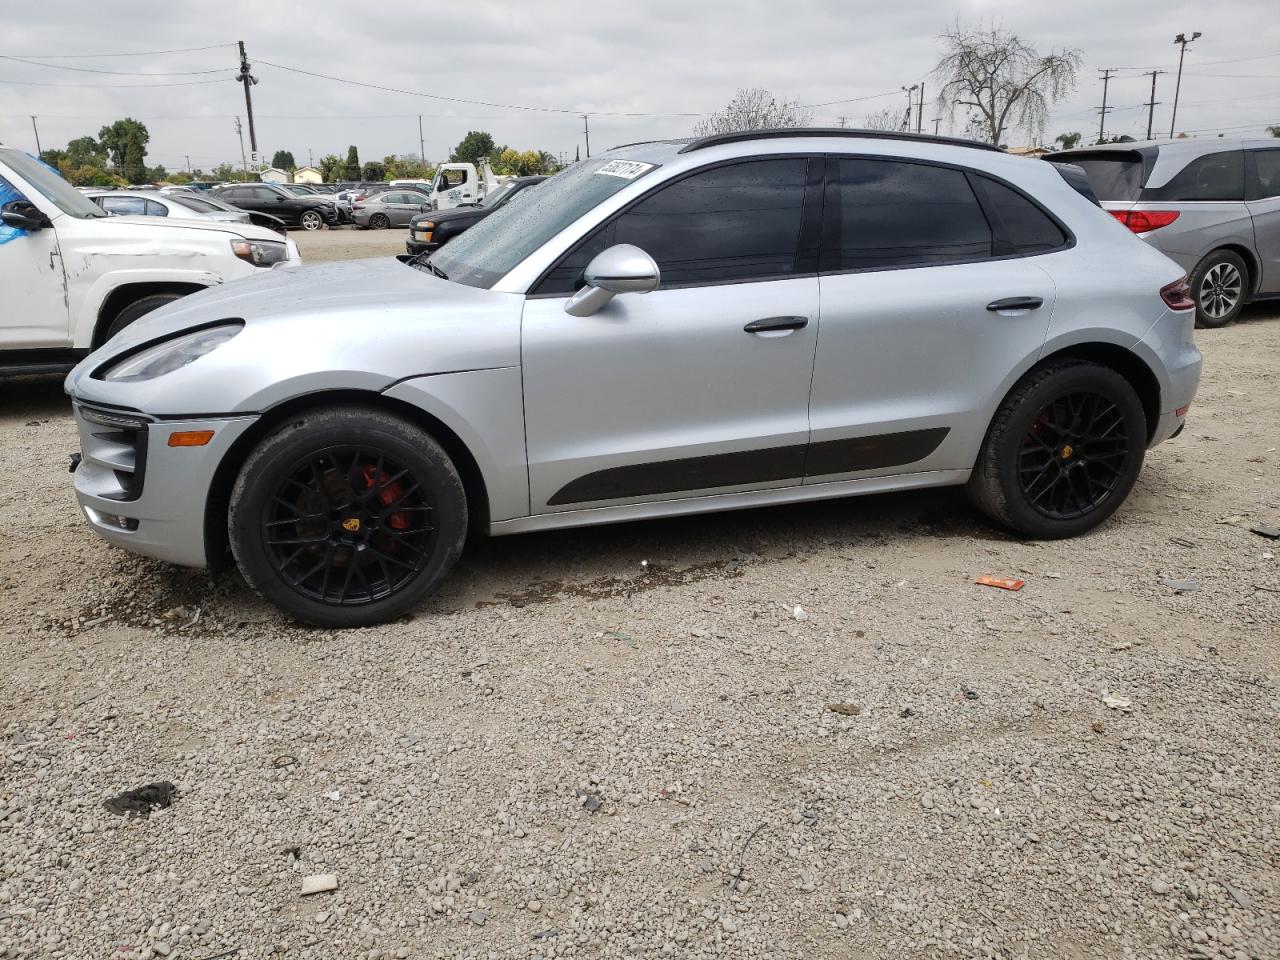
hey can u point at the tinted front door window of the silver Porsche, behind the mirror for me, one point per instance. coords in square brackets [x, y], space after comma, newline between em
[730, 223]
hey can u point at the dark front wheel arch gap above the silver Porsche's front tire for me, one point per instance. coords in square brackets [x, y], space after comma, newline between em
[217, 546]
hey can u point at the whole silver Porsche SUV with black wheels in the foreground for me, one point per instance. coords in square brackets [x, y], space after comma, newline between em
[670, 328]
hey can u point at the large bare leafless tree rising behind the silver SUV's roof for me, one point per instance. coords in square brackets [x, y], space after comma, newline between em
[1002, 81]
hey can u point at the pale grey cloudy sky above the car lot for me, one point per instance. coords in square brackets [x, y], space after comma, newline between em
[665, 60]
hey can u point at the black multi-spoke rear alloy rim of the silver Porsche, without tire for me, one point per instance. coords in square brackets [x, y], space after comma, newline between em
[1073, 455]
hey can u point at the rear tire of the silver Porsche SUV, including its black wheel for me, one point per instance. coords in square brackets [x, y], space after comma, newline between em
[1040, 476]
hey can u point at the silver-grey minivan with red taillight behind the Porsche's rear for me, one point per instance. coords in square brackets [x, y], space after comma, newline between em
[1213, 205]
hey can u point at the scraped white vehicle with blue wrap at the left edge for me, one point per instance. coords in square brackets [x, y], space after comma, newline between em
[72, 276]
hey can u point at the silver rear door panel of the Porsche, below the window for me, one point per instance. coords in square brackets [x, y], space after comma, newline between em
[908, 362]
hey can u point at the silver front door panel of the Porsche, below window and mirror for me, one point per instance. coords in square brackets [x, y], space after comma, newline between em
[666, 395]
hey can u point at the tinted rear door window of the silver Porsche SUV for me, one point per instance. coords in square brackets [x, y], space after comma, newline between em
[884, 214]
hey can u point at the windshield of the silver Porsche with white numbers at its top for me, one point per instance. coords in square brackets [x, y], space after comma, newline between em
[495, 246]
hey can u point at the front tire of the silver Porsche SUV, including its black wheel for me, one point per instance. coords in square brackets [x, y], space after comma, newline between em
[396, 479]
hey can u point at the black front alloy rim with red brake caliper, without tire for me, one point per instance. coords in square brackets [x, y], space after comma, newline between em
[349, 525]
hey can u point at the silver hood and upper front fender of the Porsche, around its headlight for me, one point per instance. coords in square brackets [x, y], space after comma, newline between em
[362, 324]
